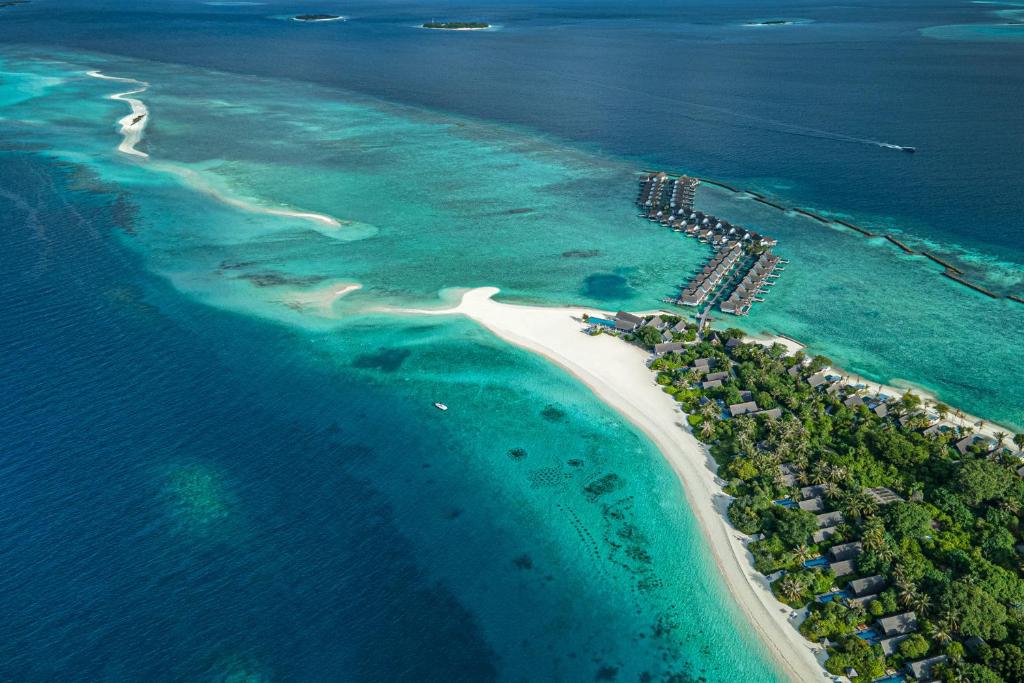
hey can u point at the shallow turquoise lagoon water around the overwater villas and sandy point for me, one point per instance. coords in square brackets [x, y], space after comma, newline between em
[577, 560]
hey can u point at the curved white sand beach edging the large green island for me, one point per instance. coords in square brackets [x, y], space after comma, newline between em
[617, 373]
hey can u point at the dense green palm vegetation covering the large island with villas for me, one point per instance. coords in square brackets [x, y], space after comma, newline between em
[948, 546]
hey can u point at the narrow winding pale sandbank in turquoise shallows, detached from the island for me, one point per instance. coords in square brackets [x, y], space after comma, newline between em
[133, 127]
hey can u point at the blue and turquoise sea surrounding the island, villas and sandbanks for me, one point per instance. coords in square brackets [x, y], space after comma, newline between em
[195, 486]
